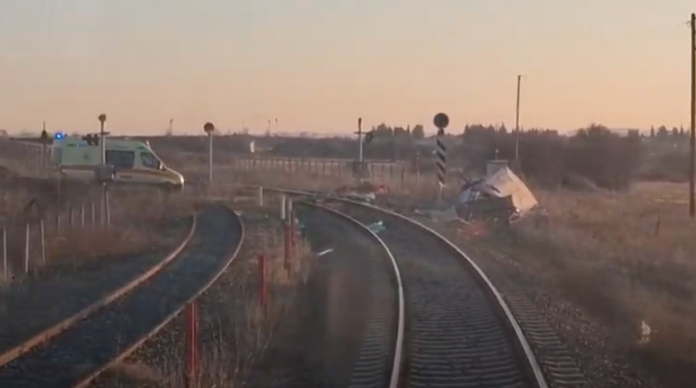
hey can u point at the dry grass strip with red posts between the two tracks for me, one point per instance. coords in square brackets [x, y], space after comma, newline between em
[236, 329]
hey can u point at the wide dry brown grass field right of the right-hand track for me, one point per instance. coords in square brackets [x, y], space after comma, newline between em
[623, 258]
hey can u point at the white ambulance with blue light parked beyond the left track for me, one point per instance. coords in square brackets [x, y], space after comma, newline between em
[134, 161]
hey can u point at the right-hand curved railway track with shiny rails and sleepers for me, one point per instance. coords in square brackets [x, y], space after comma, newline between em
[458, 329]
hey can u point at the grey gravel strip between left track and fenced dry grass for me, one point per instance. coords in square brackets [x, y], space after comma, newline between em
[36, 304]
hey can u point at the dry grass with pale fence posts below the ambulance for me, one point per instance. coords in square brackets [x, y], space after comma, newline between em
[74, 236]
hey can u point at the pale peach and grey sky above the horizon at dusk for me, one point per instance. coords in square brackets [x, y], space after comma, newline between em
[318, 65]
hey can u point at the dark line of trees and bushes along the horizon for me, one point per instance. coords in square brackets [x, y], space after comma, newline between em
[593, 155]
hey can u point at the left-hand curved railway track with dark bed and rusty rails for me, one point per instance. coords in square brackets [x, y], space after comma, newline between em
[81, 352]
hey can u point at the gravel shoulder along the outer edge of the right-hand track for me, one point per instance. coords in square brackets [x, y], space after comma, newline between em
[581, 339]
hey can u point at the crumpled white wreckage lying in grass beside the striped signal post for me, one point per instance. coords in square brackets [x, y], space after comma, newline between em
[502, 184]
